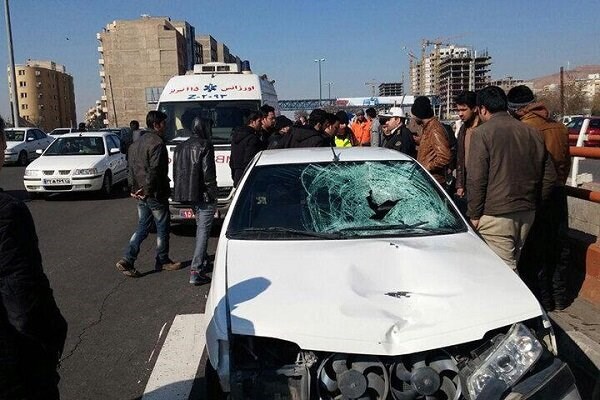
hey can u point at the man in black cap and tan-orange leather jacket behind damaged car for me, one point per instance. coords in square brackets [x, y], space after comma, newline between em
[434, 151]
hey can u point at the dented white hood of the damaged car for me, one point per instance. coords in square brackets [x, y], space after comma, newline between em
[373, 296]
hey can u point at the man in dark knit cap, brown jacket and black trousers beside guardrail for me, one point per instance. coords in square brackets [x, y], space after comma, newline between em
[545, 255]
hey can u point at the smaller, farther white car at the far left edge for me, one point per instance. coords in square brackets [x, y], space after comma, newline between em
[22, 144]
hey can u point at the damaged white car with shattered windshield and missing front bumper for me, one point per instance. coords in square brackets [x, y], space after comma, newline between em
[350, 274]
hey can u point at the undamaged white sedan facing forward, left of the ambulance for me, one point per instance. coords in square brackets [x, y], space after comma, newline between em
[87, 161]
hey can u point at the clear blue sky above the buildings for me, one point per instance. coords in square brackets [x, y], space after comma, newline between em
[361, 41]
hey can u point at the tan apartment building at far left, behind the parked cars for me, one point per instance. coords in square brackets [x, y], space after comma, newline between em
[45, 94]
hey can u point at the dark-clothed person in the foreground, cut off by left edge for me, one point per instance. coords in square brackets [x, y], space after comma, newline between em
[32, 329]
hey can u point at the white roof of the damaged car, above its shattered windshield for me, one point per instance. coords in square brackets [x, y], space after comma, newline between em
[325, 154]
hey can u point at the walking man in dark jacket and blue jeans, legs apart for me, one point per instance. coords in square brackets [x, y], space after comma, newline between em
[149, 184]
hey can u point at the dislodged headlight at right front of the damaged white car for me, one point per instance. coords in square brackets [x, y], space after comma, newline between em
[508, 361]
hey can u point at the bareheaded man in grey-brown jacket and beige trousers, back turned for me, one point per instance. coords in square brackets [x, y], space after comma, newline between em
[509, 174]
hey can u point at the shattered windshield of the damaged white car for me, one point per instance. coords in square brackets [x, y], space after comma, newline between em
[341, 200]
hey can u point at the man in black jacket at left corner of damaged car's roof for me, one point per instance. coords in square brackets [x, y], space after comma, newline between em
[245, 143]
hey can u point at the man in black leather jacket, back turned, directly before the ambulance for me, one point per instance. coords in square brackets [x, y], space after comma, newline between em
[195, 179]
